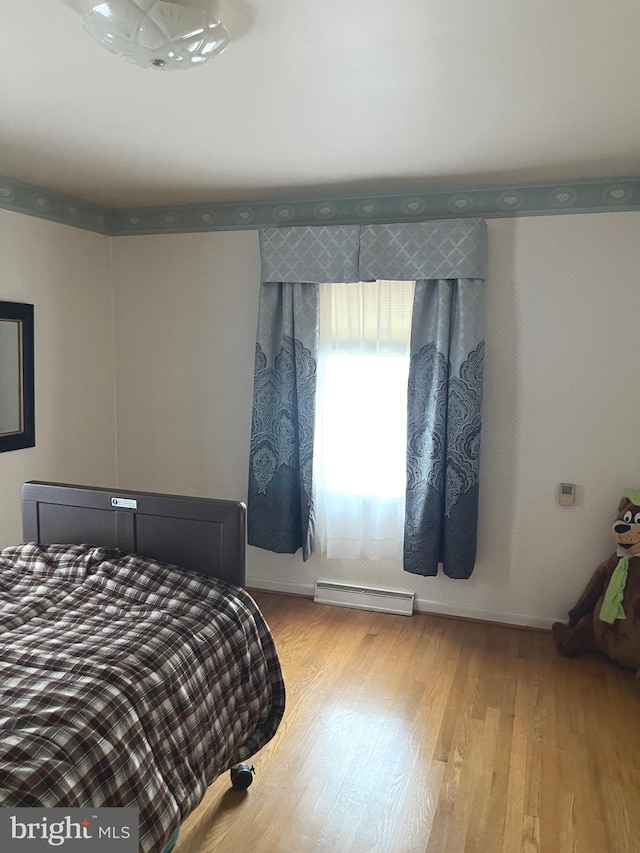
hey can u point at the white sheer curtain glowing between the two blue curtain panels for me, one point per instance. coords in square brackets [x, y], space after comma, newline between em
[361, 418]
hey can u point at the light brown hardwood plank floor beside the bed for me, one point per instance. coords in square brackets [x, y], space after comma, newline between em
[432, 735]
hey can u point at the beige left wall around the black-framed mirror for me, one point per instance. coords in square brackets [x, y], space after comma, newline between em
[66, 274]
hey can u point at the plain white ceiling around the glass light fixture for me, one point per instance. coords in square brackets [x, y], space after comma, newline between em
[332, 97]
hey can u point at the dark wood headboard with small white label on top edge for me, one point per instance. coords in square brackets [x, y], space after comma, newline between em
[203, 534]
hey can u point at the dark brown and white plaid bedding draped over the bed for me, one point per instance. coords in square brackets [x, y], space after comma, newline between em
[126, 682]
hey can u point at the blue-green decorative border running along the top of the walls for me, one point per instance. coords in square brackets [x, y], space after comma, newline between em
[597, 196]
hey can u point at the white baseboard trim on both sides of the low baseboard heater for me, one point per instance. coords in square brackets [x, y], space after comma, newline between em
[422, 605]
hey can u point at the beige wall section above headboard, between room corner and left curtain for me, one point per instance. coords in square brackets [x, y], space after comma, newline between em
[185, 318]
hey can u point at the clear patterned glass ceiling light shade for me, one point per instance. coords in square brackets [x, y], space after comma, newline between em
[156, 34]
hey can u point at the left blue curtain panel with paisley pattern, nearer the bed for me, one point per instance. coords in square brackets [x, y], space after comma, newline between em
[280, 501]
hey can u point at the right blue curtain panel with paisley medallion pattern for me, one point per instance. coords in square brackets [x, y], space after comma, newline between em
[444, 420]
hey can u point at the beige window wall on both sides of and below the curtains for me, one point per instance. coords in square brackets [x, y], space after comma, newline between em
[562, 305]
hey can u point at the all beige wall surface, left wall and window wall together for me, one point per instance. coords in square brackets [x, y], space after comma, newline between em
[560, 393]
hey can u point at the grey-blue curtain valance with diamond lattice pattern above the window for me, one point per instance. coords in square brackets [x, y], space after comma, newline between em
[452, 248]
